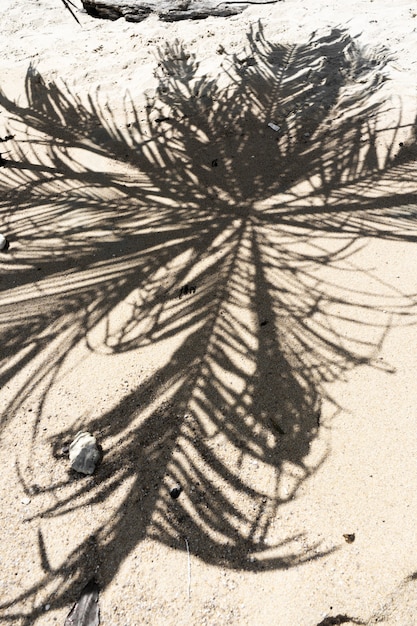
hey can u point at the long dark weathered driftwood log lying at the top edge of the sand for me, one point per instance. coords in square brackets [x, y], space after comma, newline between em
[167, 10]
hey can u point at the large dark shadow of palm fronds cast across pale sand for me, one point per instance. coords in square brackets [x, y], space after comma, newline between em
[265, 223]
